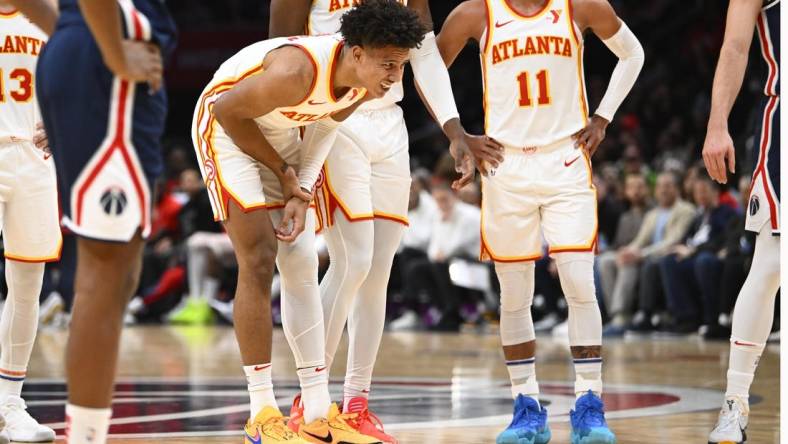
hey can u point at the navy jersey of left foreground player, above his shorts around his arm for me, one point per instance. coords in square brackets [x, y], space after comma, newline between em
[163, 31]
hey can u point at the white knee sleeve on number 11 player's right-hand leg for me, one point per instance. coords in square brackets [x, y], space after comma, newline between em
[576, 272]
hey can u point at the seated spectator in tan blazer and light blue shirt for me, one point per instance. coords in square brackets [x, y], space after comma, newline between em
[663, 227]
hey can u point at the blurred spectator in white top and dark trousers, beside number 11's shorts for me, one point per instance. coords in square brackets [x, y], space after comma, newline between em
[455, 234]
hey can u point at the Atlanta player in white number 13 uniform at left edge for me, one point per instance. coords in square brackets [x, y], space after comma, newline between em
[28, 213]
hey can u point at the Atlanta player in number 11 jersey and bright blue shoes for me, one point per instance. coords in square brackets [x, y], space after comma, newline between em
[535, 104]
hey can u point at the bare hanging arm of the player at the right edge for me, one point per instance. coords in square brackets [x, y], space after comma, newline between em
[718, 150]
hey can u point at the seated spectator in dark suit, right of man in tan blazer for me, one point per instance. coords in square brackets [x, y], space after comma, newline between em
[691, 272]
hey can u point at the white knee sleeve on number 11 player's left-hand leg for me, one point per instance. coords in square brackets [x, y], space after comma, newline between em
[517, 293]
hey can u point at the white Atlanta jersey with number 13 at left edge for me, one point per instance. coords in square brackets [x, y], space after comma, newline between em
[20, 44]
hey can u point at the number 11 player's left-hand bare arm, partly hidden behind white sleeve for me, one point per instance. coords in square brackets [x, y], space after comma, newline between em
[467, 22]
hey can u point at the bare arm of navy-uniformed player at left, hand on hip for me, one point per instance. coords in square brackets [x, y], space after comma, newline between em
[132, 60]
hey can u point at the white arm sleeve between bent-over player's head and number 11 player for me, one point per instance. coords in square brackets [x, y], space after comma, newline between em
[433, 79]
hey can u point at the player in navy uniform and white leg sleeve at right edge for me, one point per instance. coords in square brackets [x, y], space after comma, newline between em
[754, 312]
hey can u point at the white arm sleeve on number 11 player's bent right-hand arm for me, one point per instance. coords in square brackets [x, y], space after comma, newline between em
[630, 55]
